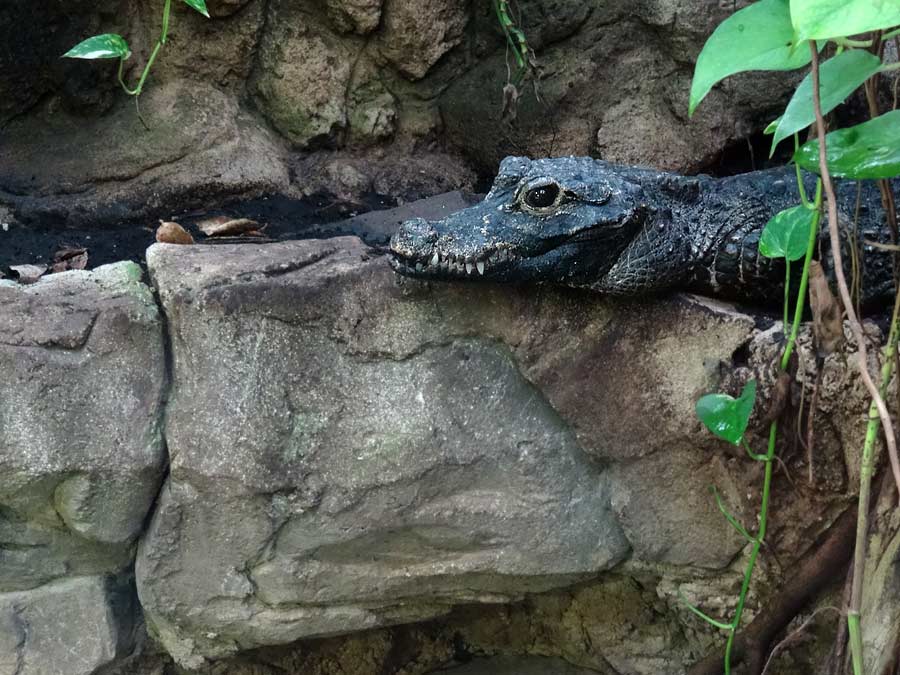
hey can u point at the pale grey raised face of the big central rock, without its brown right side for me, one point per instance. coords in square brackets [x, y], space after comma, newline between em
[358, 467]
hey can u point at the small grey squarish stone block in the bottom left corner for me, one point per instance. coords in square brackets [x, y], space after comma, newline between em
[70, 627]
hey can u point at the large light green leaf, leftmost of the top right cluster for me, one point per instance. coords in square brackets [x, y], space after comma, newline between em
[758, 37]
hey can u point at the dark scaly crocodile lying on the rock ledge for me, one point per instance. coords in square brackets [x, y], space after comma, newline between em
[625, 230]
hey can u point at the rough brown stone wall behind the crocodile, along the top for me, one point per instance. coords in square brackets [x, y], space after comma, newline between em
[345, 96]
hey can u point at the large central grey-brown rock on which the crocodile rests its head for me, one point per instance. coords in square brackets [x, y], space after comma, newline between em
[348, 452]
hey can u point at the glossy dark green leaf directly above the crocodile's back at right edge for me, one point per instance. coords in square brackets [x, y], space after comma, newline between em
[868, 150]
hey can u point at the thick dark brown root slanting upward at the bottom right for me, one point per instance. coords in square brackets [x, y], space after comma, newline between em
[814, 573]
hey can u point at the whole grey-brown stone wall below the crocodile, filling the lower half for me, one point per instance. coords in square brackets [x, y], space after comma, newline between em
[434, 472]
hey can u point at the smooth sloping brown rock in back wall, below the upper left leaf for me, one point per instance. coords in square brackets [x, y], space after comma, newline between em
[200, 146]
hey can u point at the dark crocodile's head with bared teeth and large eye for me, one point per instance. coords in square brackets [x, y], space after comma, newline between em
[563, 220]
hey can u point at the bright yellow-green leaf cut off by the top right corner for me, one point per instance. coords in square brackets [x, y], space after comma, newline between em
[822, 19]
